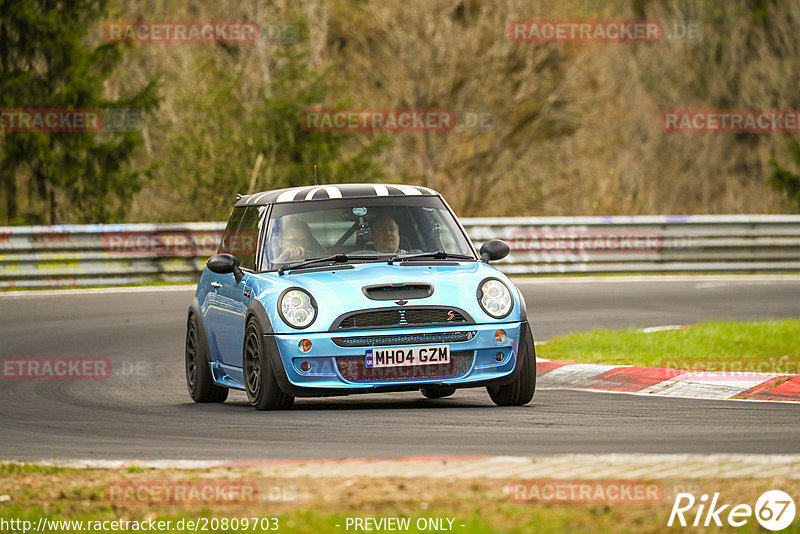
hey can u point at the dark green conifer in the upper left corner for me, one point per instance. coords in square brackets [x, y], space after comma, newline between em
[46, 63]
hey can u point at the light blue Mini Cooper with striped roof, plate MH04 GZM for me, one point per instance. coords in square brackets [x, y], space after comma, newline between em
[356, 288]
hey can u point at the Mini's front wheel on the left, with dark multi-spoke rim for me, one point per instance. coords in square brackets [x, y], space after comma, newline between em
[260, 383]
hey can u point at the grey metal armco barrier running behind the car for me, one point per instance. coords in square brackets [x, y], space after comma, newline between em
[78, 255]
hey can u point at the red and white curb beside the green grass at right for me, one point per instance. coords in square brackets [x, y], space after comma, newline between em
[554, 374]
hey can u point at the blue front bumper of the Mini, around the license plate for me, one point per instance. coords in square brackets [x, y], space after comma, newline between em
[336, 359]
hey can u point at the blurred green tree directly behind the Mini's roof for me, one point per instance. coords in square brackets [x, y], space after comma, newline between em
[235, 145]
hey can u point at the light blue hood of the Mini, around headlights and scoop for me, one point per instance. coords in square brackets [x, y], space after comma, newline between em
[337, 292]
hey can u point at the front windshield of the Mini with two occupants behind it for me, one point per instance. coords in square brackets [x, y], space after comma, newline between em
[361, 228]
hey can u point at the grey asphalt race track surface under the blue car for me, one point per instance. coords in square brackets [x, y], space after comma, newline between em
[144, 412]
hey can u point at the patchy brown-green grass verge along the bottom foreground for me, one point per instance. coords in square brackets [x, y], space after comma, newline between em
[324, 504]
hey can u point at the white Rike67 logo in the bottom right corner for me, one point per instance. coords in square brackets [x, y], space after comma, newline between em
[774, 510]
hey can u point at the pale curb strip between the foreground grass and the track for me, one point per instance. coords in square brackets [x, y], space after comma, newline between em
[561, 466]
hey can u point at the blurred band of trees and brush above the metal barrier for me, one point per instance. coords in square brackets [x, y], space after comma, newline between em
[574, 127]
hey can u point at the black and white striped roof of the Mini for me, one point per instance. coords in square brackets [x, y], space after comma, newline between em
[325, 192]
